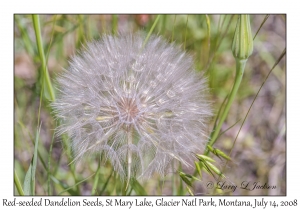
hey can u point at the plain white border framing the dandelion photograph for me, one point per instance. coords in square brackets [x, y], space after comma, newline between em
[8, 8]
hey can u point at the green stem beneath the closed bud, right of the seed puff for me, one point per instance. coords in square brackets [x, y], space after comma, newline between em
[240, 67]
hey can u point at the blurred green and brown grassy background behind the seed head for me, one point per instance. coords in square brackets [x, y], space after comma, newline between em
[259, 154]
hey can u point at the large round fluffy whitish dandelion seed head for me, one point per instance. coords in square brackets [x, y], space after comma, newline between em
[140, 107]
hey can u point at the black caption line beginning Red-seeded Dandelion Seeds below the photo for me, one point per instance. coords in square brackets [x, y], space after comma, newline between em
[144, 202]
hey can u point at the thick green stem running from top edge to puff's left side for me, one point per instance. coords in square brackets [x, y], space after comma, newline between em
[37, 30]
